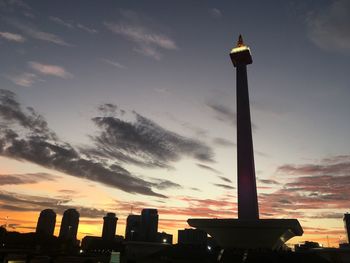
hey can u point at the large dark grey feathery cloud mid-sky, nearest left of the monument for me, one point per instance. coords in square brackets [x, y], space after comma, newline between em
[143, 142]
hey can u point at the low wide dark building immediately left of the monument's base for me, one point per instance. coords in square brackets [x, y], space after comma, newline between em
[193, 237]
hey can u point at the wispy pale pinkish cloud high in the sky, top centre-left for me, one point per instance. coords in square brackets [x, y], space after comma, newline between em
[148, 42]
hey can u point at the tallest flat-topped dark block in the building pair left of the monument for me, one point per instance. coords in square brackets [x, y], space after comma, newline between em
[149, 225]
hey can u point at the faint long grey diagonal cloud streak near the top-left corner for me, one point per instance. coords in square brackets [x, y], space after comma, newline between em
[32, 32]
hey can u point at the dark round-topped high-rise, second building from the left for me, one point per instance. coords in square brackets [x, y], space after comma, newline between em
[69, 224]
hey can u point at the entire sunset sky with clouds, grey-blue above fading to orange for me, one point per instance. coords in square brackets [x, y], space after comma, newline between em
[116, 106]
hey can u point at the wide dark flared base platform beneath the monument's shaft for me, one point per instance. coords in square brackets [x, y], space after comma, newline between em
[249, 234]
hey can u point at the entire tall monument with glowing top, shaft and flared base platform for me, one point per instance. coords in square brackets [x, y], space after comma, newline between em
[248, 231]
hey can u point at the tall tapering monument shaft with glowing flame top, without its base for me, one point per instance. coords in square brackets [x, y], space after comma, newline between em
[247, 194]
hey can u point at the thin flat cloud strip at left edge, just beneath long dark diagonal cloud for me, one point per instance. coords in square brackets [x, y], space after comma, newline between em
[30, 178]
